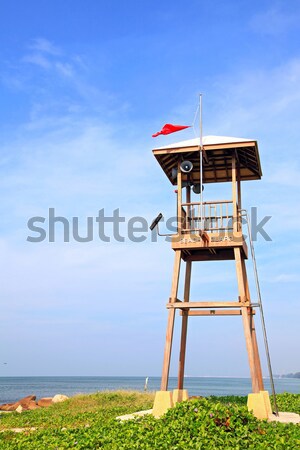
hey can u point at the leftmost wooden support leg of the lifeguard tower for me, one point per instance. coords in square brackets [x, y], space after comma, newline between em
[170, 325]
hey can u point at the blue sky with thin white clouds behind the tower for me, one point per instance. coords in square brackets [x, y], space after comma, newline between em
[83, 86]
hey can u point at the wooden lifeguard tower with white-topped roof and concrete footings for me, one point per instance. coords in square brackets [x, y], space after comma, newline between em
[209, 231]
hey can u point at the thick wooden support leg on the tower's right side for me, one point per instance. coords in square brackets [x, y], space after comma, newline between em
[246, 319]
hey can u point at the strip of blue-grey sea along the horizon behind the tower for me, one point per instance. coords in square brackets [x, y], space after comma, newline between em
[15, 388]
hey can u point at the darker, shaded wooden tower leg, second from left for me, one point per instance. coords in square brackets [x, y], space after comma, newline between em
[184, 325]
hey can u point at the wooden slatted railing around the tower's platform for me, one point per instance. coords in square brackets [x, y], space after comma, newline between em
[212, 217]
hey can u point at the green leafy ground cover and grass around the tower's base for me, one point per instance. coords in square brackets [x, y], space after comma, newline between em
[88, 422]
